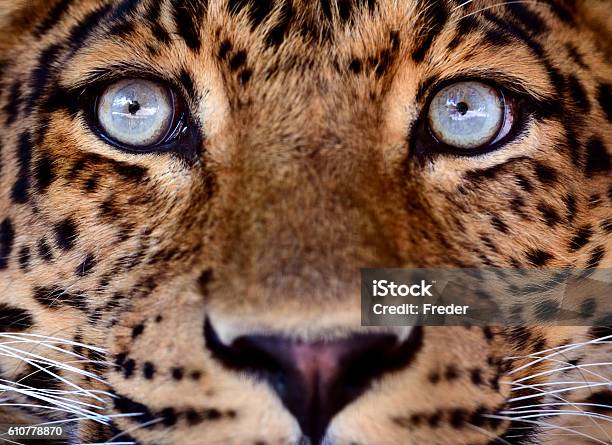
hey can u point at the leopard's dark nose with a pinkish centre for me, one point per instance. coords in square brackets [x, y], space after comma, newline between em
[315, 380]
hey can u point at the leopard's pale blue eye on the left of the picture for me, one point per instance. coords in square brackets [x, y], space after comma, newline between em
[137, 113]
